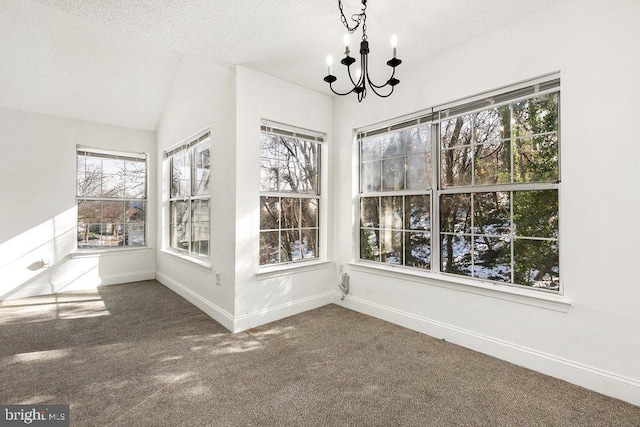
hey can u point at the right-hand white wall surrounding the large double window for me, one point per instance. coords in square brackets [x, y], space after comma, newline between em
[595, 341]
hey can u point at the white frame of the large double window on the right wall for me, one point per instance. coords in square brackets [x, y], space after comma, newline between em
[503, 96]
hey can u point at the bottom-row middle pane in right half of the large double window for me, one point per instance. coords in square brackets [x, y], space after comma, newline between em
[492, 258]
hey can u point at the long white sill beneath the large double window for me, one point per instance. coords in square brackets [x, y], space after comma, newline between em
[518, 295]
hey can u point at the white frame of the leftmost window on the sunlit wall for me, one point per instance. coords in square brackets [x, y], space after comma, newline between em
[117, 155]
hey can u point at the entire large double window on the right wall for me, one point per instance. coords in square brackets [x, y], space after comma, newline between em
[495, 182]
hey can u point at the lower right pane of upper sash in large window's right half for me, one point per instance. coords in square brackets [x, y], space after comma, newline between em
[536, 159]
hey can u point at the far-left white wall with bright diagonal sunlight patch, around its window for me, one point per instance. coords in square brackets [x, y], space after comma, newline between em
[38, 213]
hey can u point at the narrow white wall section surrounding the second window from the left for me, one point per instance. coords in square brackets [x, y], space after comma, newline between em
[202, 96]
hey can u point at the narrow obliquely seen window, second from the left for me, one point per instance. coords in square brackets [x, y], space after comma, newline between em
[189, 196]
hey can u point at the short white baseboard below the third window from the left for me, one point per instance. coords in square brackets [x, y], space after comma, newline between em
[271, 314]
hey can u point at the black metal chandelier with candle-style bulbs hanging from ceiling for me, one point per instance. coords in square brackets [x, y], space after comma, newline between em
[362, 79]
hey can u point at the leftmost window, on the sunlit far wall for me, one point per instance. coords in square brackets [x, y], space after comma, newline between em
[111, 198]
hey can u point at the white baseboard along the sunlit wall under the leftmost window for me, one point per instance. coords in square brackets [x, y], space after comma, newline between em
[41, 289]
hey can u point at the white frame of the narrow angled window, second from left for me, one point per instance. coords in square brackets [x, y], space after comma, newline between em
[188, 145]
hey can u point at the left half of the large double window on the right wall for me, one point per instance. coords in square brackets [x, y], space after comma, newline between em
[395, 198]
